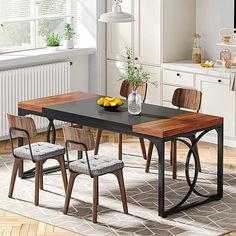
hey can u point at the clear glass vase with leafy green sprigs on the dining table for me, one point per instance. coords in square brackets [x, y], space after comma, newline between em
[136, 76]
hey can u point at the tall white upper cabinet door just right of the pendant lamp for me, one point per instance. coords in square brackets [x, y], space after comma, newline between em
[147, 33]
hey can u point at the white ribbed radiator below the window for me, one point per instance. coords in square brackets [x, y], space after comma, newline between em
[29, 83]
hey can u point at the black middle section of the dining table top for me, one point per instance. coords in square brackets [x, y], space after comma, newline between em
[87, 112]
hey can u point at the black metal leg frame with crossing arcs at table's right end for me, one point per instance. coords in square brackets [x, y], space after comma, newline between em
[182, 205]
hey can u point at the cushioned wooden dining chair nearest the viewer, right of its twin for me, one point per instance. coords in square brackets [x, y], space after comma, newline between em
[94, 166]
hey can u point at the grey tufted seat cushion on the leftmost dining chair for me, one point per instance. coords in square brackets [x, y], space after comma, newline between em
[40, 150]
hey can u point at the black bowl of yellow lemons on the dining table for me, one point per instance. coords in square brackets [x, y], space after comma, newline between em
[110, 103]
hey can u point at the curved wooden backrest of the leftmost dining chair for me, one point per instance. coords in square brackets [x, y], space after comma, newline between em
[24, 123]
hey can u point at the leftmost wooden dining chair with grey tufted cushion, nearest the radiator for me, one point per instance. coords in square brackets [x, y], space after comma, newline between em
[38, 152]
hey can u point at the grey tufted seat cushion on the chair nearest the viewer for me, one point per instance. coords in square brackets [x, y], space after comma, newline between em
[99, 165]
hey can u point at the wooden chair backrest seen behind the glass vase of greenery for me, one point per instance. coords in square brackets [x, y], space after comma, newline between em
[126, 88]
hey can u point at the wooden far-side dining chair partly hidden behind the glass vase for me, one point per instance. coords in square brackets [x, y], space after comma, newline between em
[125, 90]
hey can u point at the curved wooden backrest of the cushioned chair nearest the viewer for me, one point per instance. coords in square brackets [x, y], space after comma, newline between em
[79, 135]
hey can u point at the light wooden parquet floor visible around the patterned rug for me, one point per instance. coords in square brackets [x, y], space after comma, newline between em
[11, 224]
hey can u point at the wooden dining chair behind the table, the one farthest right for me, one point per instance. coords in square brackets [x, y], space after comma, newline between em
[188, 99]
